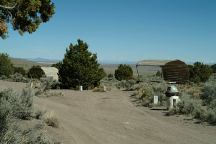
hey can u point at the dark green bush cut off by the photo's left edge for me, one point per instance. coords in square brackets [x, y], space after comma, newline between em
[6, 67]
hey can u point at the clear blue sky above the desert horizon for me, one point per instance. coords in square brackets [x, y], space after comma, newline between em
[124, 30]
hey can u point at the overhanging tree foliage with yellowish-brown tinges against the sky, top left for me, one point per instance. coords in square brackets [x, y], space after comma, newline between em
[24, 15]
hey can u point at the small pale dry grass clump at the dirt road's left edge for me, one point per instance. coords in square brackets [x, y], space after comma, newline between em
[51, 120]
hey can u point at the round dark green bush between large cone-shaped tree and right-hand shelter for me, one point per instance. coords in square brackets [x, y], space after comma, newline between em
[123, 72]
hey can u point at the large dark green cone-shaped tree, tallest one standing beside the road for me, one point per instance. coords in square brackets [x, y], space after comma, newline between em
[80, 67]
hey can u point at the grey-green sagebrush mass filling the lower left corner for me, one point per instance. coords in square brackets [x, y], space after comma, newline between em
[13, 109]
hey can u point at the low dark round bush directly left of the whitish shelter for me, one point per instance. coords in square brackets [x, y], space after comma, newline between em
[35, 72]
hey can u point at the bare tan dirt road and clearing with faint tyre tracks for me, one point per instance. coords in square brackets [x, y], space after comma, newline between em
[112, 118]
